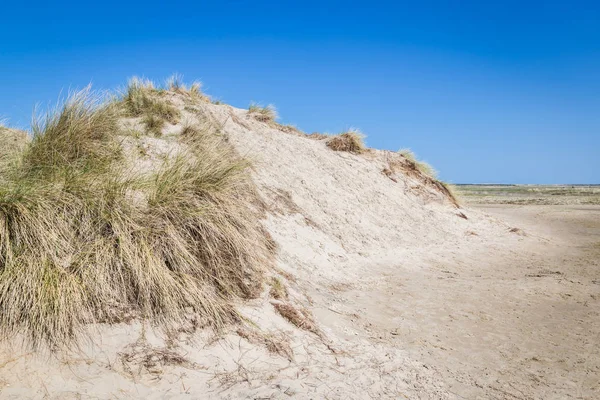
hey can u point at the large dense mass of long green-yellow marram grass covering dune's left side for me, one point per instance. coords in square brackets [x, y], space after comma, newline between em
[80, 236]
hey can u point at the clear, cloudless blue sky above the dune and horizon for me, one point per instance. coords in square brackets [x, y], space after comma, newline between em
[500, 91]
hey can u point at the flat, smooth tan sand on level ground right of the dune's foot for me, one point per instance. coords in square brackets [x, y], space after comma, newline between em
[495, 323]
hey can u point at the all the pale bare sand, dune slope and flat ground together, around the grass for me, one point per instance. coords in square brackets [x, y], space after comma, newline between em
[412, 301]
